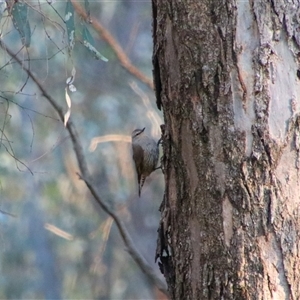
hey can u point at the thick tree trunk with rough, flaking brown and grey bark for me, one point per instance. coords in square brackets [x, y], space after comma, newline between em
[226, 76]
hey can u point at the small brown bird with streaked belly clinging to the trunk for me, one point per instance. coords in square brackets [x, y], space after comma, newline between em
[145, 155]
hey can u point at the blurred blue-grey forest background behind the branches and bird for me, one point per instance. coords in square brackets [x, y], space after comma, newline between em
[56, 242]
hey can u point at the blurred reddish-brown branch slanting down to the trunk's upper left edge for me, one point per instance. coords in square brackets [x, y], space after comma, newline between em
[121, 55]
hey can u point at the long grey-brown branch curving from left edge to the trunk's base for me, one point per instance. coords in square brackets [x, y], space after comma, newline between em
[141, 262]
